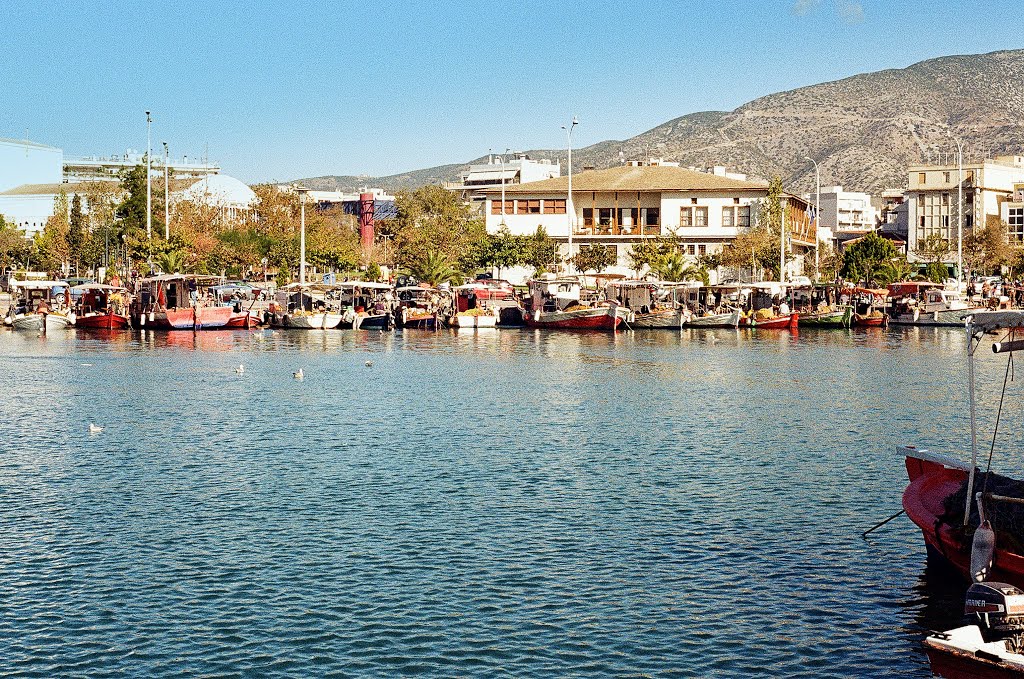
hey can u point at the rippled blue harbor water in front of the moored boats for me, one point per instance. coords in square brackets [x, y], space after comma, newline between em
[511, 503]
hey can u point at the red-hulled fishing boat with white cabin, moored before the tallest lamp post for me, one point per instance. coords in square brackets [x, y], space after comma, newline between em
[557, 305]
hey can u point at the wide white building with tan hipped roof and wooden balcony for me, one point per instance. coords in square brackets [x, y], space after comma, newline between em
[620, 206]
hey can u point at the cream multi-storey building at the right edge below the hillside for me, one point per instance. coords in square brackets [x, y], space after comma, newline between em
[933, 198]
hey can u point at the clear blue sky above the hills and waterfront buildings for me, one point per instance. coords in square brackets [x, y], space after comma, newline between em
[282, 90]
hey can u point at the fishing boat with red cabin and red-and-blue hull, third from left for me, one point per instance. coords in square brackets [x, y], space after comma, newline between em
[178, 302]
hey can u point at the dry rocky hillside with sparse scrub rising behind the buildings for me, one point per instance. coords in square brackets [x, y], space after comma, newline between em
[865, 131]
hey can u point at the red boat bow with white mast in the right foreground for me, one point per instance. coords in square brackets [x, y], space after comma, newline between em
[950, 499]
